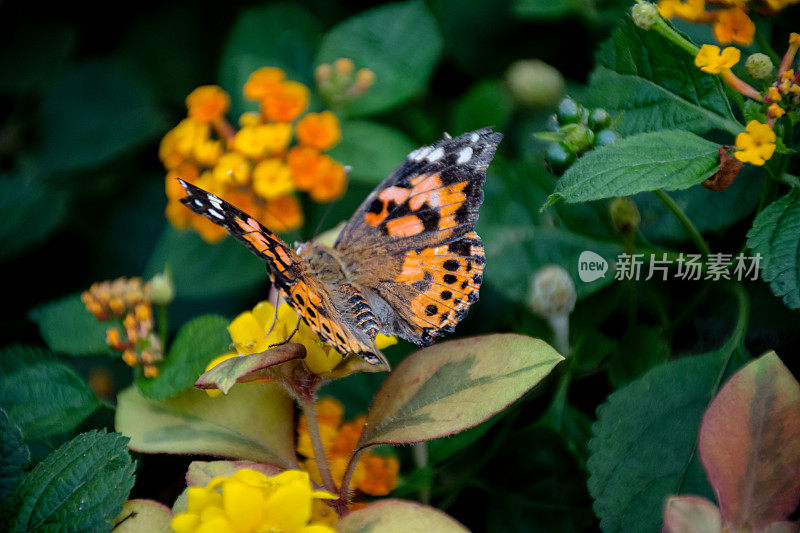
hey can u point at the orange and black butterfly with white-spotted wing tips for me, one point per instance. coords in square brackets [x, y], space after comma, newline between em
[407, 263]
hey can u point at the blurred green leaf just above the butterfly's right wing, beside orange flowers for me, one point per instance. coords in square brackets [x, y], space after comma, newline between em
[373, 150]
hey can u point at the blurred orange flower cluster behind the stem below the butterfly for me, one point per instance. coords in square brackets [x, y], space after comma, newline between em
[374, 475]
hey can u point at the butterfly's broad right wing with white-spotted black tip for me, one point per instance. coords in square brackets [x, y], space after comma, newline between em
[412, 245]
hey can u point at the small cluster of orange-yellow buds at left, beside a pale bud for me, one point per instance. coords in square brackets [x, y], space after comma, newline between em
[128, 300]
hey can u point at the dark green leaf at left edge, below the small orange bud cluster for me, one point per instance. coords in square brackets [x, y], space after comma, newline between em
[43, 396]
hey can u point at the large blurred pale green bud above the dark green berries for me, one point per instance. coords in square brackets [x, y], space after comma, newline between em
[534, 83]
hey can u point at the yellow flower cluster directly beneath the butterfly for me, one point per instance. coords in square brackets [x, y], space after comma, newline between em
[254, 332]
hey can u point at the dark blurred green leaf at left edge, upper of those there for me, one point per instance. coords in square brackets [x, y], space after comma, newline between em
[30, 212]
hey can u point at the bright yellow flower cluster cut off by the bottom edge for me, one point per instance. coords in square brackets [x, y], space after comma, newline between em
[252, 502]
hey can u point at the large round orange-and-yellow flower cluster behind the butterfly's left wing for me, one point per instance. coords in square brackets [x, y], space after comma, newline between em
[259, 167]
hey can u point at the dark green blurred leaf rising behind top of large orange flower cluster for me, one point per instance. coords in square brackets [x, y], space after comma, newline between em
[283, 35]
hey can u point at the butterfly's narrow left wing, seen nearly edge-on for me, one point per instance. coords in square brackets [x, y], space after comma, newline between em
[288, 271]
